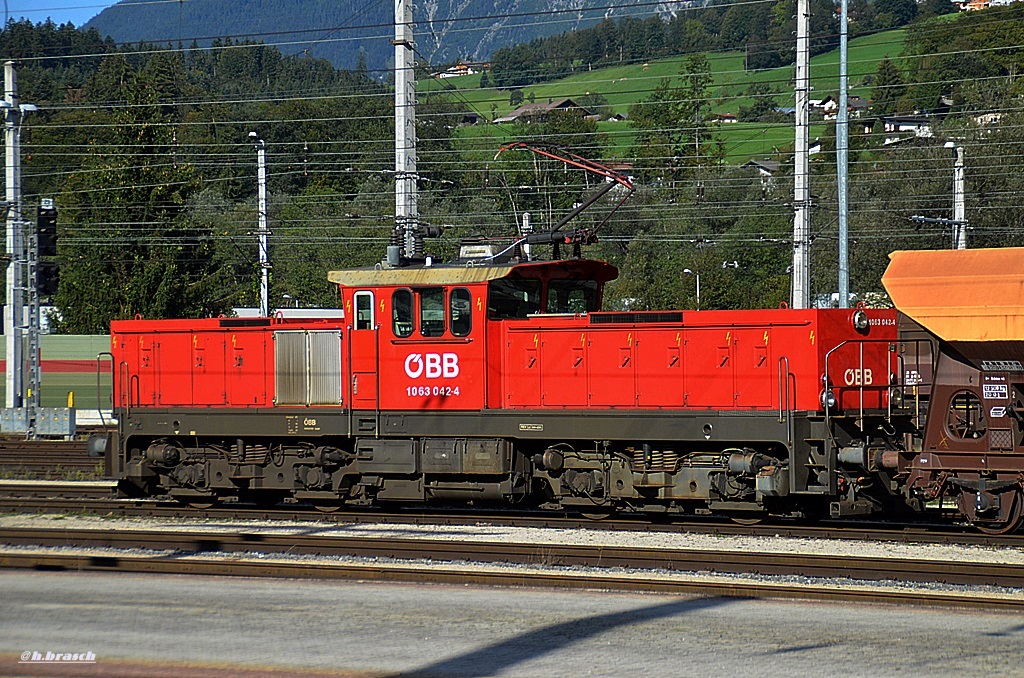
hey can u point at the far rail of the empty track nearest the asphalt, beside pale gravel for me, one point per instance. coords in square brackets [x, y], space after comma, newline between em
[719, 562]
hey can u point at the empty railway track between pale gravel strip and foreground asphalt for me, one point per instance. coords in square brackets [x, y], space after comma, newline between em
[649, 570]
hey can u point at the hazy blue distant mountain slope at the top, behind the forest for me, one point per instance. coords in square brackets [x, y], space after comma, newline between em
[446, 29]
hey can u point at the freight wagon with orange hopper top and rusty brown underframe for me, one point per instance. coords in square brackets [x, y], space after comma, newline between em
[973, 450]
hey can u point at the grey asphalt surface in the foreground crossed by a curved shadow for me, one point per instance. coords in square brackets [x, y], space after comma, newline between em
[149, 625]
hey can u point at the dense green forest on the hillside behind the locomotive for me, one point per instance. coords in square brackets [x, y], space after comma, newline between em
[146, 151]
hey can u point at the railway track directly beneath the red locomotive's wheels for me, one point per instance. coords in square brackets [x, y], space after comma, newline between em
[96, 498]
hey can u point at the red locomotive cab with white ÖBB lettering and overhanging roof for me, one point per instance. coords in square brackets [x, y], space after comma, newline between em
[420, 336]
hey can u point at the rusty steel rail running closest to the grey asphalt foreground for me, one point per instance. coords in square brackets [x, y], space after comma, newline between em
[447, 574]
